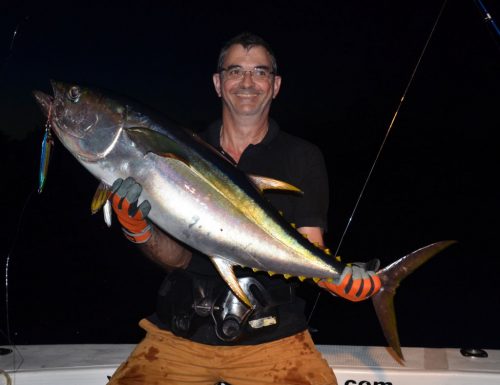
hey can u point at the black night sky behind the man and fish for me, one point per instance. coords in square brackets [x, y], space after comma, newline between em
[345, 65]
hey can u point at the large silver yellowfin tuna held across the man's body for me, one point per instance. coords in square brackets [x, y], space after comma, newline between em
[200, 198]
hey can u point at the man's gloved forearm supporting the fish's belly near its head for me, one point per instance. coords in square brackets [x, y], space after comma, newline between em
[153, 242]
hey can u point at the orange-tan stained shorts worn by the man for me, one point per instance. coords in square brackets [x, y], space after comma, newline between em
[161, 358]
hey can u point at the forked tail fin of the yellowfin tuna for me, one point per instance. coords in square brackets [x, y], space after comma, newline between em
[390, 277]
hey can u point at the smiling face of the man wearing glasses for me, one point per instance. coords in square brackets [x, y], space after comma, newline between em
[249, 94]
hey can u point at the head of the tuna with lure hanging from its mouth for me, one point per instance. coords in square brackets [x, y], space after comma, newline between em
[86, 122]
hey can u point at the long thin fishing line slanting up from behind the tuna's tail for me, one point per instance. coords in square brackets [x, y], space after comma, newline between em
[391, 124]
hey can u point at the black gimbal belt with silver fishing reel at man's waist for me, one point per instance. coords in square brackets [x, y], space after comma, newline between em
[185, 302]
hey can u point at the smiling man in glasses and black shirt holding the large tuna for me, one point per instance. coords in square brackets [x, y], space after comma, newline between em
[201, 333]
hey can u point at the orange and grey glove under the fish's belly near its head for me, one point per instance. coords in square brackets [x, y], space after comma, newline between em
[125, 194]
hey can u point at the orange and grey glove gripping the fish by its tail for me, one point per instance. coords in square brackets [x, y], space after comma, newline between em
[357, 282]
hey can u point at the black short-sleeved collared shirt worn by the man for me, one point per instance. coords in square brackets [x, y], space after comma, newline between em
[293, 160]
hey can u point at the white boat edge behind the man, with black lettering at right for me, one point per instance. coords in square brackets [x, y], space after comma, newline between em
[353, 365]
